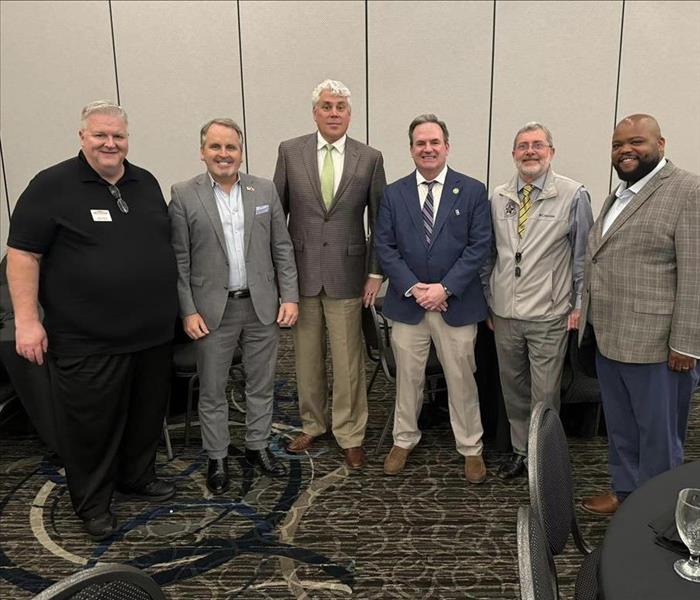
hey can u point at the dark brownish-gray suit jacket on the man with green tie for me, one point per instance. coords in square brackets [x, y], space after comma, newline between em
[331, 249]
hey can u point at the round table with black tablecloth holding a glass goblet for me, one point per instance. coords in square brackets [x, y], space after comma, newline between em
[632, 566]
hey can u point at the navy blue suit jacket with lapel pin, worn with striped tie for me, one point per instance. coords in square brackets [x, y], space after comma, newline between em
[460, 245]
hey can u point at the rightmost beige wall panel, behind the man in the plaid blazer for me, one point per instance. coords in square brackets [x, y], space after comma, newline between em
[661, 73]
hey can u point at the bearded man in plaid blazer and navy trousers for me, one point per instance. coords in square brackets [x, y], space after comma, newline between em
[641, 294]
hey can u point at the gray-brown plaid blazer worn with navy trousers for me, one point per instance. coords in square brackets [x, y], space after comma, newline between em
[642, 278]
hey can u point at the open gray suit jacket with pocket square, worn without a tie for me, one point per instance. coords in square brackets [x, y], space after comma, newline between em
[200, 249]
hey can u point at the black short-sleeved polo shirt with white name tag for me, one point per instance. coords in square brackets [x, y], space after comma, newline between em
[107, 279]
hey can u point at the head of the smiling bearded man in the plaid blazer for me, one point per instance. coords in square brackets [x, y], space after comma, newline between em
[637, 147]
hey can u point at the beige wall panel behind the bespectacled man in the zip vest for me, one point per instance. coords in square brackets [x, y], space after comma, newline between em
[556, 62]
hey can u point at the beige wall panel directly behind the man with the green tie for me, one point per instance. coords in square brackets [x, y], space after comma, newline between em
[289, 47]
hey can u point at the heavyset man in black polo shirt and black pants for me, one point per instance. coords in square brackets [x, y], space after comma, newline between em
[90, 240]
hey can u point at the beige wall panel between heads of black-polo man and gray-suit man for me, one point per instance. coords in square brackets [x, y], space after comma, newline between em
[178, 66]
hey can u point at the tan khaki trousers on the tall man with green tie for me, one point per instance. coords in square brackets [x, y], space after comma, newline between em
[342, 318]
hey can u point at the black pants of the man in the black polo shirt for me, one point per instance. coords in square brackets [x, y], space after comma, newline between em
[109, 415]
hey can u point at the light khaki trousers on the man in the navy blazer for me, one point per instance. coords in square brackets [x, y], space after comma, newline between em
[455, 350]
